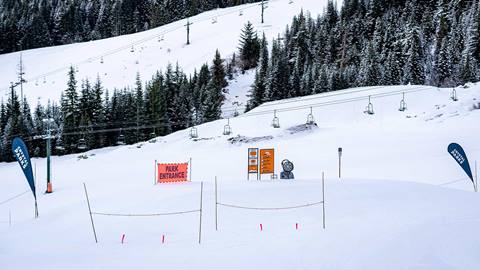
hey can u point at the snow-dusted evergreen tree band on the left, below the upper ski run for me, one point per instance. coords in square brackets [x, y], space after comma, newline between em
[90, 117]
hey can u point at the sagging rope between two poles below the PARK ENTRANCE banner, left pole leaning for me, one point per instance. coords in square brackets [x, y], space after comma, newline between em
[92, 213]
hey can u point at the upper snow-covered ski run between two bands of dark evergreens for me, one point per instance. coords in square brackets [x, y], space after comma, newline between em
[46, 68]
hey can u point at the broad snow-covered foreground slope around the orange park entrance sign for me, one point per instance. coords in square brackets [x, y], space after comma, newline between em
[402, 202]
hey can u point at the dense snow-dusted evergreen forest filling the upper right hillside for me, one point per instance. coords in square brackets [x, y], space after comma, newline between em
[370, 43]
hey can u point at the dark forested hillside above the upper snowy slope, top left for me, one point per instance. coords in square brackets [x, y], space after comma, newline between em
[28, 24]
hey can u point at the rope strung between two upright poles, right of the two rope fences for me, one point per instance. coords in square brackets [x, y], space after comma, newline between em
[322, 202]
